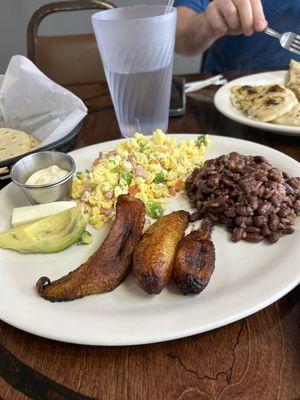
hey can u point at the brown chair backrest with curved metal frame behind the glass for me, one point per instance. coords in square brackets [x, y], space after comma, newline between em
[69, 59]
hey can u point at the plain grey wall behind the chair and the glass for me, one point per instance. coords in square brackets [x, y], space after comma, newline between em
[15, 15]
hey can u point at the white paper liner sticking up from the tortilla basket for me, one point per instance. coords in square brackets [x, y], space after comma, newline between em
[31, 102]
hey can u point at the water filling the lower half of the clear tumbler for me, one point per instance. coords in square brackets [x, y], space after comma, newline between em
[141, 100]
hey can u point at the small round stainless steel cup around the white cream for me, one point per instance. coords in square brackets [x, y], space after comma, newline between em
[47, 193]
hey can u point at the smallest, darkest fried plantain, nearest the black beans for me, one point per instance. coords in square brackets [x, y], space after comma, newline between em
[195, 260]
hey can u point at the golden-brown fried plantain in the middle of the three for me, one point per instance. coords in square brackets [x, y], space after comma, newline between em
[154, 255]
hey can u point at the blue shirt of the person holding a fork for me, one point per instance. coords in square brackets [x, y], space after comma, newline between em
[258, 50]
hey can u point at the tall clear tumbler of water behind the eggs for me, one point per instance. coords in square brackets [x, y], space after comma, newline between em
[136, 45]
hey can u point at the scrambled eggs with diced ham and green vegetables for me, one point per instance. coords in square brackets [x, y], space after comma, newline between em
[149, 168]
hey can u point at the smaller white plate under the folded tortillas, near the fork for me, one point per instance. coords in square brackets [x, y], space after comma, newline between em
[223, 104]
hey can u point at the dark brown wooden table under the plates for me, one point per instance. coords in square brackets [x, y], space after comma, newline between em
[255, 358]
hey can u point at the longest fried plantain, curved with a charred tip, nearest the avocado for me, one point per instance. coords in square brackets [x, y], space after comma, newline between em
[109, 265]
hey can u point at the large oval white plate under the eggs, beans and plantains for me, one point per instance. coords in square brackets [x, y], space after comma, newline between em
[247, 278]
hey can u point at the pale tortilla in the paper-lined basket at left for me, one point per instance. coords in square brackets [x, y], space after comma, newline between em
[14, 143]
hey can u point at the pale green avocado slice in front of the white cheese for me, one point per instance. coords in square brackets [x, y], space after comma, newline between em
[47, 235]
